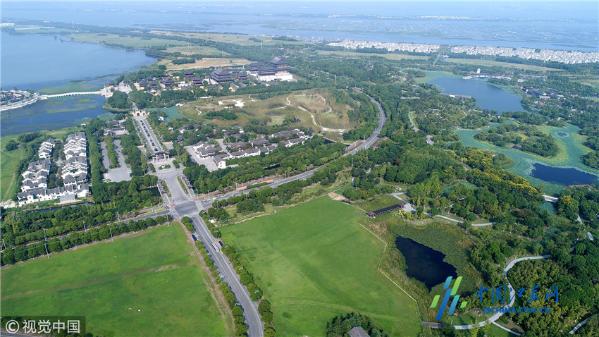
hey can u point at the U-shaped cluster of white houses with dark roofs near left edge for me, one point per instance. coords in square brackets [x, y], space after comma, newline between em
[34, 186]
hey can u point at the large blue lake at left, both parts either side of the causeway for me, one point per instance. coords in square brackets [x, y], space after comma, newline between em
[38, 62]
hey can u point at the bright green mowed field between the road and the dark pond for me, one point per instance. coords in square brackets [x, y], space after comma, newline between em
[315, 261]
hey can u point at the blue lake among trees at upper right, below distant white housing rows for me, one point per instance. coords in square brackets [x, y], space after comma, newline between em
[487, 96]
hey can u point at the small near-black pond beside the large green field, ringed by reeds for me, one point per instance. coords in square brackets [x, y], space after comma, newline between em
[424, 263]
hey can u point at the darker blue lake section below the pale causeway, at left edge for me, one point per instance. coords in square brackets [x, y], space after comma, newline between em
[51, 114]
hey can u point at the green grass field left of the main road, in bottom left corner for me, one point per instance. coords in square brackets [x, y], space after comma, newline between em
[145, 284]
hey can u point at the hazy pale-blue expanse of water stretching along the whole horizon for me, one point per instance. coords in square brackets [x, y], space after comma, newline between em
[553, 25]
